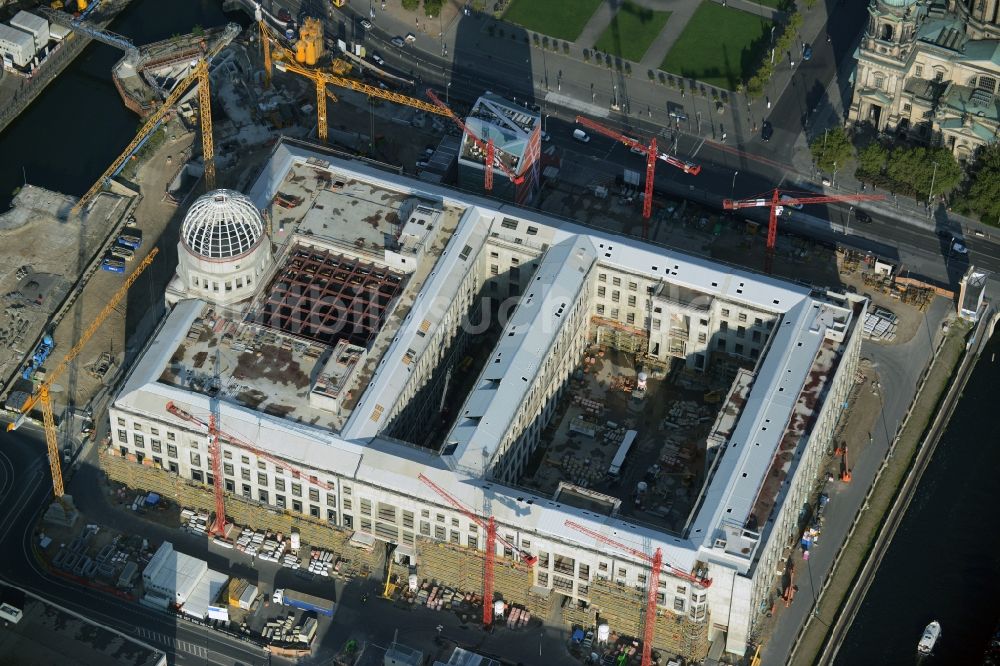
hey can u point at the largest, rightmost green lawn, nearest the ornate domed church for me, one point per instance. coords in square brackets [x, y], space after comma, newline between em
[720, 46]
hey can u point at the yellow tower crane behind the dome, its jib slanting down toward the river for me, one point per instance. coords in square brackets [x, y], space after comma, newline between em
[200, 75]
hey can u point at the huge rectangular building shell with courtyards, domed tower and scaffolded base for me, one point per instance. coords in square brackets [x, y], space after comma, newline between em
[365, 328]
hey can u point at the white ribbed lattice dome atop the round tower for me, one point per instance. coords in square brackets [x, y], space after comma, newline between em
[222, 224]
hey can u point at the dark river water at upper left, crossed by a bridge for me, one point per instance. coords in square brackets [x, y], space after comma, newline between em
[79, 125]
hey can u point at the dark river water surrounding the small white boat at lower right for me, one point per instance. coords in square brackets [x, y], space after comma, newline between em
[944, 562]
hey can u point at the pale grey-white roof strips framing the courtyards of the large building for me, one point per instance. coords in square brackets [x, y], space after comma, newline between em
[360, 452]
